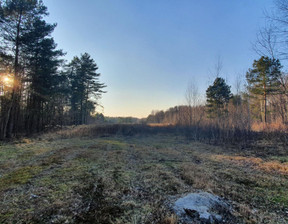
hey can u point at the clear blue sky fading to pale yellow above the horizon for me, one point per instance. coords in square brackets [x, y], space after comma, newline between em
[148, 51]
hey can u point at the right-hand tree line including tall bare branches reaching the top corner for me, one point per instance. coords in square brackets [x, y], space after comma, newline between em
[261, 104]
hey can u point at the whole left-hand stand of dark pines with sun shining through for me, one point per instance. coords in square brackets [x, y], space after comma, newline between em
[38, 89]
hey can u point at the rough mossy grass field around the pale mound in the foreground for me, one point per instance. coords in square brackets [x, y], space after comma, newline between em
[118, 179]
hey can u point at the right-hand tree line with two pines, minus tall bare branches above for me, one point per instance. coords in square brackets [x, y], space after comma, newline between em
[264, 101]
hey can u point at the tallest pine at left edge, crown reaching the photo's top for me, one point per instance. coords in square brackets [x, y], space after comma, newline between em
[16, 19]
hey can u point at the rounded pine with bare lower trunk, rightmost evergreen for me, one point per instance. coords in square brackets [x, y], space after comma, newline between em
[264, 79]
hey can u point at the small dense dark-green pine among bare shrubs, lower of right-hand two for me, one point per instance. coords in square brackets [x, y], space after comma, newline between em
[218, 96]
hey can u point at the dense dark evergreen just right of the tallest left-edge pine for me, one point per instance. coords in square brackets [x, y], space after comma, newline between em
[41, 66]
